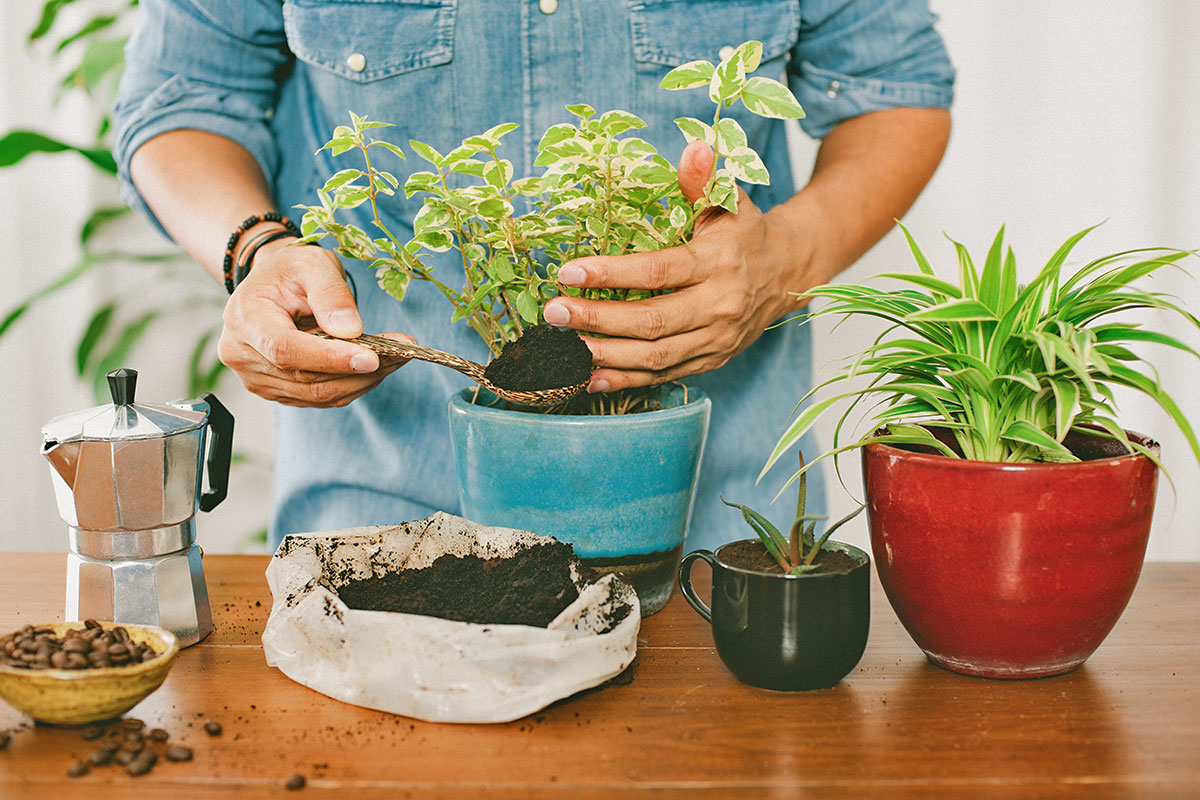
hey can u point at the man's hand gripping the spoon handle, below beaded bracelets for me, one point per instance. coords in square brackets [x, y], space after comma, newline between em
[291, 291]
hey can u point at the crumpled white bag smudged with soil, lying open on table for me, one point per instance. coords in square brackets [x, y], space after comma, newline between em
[425, 667]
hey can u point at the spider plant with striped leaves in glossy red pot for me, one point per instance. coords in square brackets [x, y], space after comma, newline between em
[1009, 509]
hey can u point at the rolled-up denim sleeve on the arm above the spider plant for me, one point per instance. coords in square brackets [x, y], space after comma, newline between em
[855, 57]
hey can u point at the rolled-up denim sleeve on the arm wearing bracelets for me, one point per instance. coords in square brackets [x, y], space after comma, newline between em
[213, 67]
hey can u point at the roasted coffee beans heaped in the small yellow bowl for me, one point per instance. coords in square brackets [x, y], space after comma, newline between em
[93, 647]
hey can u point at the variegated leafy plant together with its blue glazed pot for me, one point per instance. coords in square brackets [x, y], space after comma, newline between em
[629, 479]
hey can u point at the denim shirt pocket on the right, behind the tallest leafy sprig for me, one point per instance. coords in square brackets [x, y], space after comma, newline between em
[670, 33]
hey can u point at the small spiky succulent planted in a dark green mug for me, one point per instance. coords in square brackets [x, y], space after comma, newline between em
[789, 613]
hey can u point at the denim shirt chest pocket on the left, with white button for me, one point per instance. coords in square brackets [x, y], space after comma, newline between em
[388, 61]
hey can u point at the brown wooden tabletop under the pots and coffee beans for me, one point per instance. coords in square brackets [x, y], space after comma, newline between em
[1126, 725]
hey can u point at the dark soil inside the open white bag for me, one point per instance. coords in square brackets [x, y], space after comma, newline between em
[531, 588]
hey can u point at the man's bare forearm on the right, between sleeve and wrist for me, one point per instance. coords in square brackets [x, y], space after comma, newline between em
[868, 173]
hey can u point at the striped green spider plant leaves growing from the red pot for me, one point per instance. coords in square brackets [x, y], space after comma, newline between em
[1009, 370]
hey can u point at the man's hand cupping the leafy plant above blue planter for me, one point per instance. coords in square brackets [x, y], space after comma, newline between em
[727, 287]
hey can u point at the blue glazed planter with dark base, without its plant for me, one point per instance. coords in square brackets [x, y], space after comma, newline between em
[619, 489]
